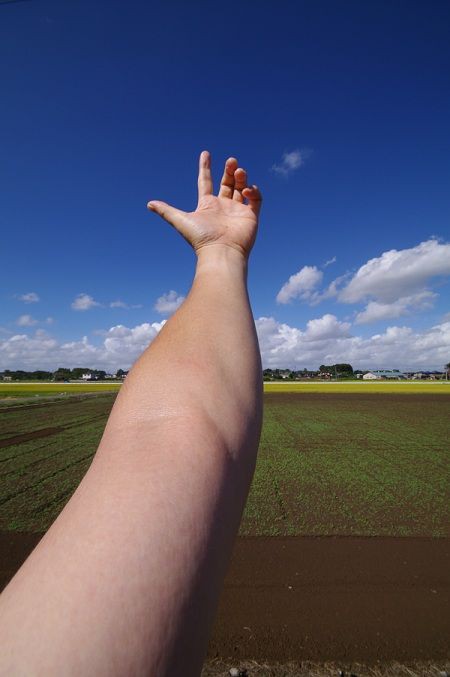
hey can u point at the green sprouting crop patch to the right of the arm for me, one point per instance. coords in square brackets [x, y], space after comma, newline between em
[342, 464]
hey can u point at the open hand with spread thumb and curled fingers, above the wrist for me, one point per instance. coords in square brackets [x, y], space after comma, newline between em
[229, 219]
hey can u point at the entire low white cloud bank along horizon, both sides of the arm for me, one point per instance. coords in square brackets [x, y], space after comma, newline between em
[324, 340]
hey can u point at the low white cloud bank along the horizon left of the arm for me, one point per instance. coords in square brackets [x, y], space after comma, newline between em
[120, 347]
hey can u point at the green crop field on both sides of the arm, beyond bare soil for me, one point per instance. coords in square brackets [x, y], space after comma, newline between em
[330, 463]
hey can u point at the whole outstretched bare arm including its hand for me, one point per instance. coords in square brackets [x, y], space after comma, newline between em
[127, 579]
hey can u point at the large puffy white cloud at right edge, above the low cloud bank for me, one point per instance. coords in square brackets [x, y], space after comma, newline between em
[398, 273]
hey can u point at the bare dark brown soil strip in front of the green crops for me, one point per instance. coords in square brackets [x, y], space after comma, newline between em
[346, 599]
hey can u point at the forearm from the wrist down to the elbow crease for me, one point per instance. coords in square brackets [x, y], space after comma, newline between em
[205, 363]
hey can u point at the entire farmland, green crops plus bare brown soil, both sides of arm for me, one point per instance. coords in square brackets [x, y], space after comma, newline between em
[345, 534]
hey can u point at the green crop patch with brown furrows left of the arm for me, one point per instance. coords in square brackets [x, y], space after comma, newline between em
[45, 449]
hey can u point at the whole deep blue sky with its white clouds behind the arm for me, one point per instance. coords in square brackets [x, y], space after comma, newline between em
[340, 113]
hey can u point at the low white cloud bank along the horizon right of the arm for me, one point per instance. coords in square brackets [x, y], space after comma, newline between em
[327, 341]
